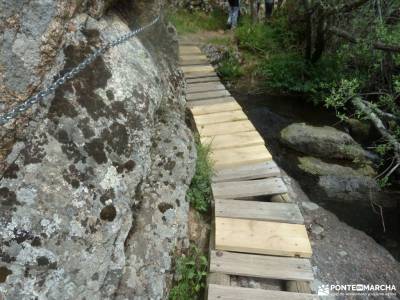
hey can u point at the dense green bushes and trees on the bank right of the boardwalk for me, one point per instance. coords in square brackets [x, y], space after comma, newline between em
[305, 49]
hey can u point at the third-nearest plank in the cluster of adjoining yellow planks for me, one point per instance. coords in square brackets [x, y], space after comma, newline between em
[225, 128]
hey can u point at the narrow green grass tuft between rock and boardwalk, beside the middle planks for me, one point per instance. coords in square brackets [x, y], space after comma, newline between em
[199, 193]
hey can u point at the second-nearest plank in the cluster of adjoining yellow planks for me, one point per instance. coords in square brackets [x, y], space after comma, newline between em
[233, 140]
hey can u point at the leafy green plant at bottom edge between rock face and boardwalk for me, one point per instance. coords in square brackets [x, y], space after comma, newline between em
[191, 271]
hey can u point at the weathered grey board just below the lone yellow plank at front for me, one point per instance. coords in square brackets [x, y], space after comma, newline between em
[261, 266]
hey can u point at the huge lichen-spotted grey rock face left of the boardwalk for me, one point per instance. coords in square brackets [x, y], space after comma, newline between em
[92, 197]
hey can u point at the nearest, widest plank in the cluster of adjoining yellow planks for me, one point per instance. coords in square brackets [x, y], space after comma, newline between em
[235, 157]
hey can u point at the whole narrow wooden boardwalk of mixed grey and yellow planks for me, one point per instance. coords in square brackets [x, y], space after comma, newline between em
[256, 231]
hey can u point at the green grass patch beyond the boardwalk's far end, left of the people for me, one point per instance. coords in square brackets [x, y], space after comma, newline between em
[191, 22]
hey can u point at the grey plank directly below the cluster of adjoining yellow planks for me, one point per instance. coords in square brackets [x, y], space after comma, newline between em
[248, 172]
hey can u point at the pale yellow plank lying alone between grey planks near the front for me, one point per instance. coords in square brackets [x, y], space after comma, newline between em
[261, 237]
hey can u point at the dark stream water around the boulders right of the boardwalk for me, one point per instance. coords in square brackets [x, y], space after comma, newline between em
[270, 114]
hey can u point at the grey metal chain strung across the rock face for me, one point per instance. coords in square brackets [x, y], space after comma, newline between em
[20, 108]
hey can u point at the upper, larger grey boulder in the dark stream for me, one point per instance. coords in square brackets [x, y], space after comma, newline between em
[325, 142]
